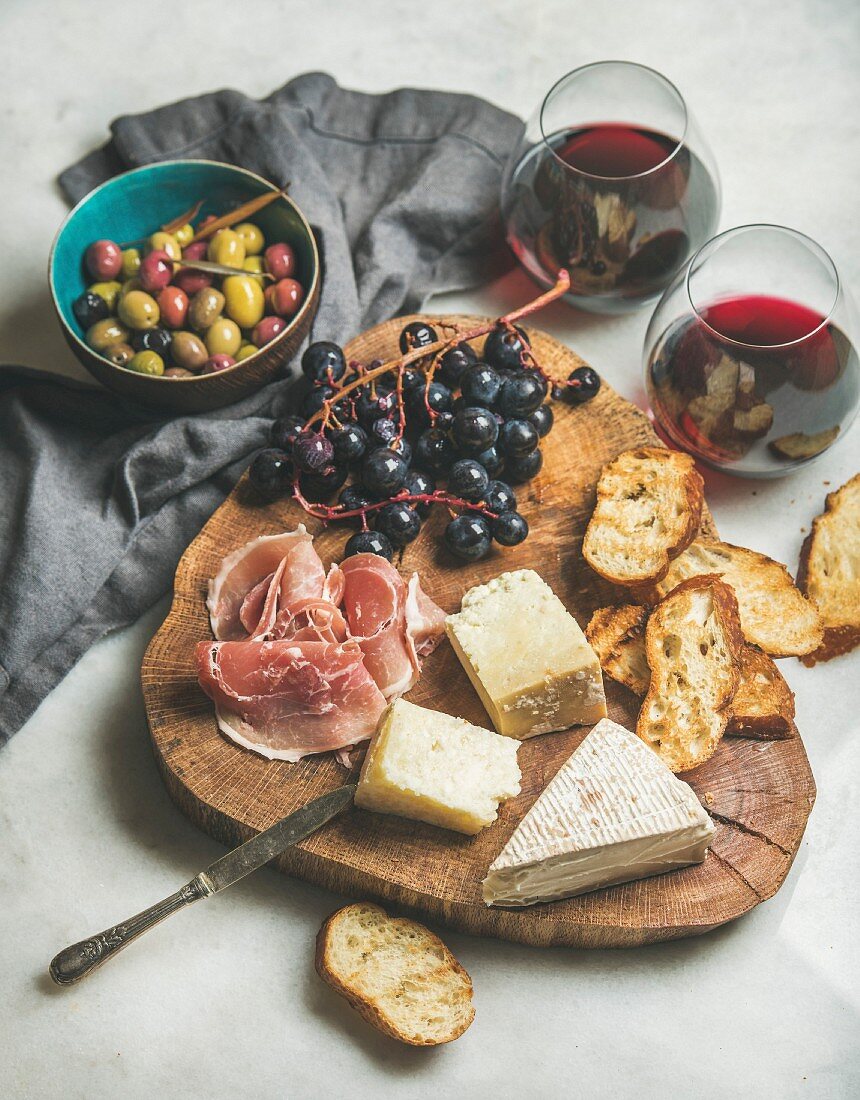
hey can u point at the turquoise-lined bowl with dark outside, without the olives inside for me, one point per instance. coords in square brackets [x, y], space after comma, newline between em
[138, 204]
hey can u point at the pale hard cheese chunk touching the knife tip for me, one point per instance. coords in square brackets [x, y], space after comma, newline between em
[437, 769]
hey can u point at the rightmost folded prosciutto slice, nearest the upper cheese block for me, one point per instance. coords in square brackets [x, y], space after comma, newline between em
[380, 609]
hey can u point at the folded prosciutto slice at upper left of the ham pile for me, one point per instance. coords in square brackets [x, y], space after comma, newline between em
[242, 592]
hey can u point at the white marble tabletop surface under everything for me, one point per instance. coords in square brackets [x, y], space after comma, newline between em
[223, 1002]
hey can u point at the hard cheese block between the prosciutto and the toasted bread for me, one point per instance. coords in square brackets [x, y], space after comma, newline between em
[527, 657]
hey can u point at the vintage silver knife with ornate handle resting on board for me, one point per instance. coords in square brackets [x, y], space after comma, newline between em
[78, 962]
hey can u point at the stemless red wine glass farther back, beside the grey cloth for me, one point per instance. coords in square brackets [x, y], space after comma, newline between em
[613, 181]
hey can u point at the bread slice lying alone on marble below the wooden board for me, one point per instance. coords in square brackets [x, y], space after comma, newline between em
[396, 974]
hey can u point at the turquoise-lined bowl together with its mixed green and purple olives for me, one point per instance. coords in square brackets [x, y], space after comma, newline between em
[108, 273]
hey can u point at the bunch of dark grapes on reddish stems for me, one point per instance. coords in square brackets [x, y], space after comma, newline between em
[466, 438]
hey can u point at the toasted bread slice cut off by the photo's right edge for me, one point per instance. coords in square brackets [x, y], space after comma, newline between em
[831, 570]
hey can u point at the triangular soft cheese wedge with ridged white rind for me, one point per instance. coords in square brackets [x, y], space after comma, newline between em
[613, 813]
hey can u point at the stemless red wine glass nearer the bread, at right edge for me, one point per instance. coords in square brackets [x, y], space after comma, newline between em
[751, 358]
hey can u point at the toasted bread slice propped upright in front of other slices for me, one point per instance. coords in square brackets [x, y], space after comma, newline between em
[693, 645]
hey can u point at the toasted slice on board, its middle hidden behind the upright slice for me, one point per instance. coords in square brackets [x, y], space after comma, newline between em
[763, 707]
